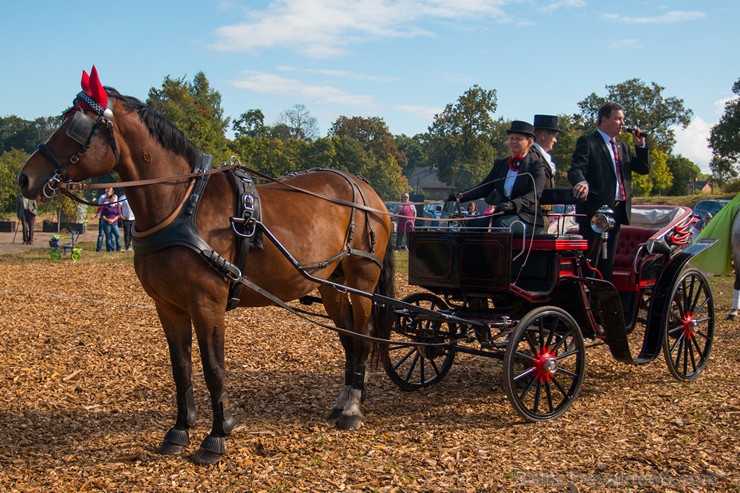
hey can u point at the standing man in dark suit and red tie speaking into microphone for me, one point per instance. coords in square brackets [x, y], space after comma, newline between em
[601, 174]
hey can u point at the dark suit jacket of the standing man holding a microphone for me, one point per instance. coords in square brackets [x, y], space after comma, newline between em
[593, 162]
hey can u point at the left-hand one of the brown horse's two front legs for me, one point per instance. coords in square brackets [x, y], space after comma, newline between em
[178, 331]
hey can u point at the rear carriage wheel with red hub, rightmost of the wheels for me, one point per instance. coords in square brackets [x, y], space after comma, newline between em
[689, 326]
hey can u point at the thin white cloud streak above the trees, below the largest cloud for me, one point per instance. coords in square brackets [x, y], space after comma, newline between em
[267, 83]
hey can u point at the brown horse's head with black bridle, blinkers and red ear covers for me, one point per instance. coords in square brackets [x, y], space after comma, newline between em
[78, 149]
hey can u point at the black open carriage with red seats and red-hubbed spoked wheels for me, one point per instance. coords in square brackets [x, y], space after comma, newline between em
[535, 301]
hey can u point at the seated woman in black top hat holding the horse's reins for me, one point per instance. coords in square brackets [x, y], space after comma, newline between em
[514, 184]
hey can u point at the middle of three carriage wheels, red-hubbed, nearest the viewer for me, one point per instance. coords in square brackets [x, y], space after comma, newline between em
[544, 364]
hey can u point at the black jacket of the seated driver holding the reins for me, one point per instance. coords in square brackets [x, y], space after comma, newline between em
[525, 194]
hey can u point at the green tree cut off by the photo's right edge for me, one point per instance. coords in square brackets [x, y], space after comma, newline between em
[724, 139]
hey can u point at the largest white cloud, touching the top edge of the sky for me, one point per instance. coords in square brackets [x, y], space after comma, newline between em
[325, 28]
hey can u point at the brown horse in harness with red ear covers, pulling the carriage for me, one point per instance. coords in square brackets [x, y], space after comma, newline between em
[330, 220]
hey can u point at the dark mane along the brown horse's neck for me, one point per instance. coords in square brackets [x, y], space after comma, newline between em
[159, 127]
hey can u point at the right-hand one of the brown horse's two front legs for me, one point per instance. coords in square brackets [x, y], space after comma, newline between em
[210, 329]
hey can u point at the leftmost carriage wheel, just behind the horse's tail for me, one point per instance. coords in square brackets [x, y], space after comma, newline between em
[414, 367]
